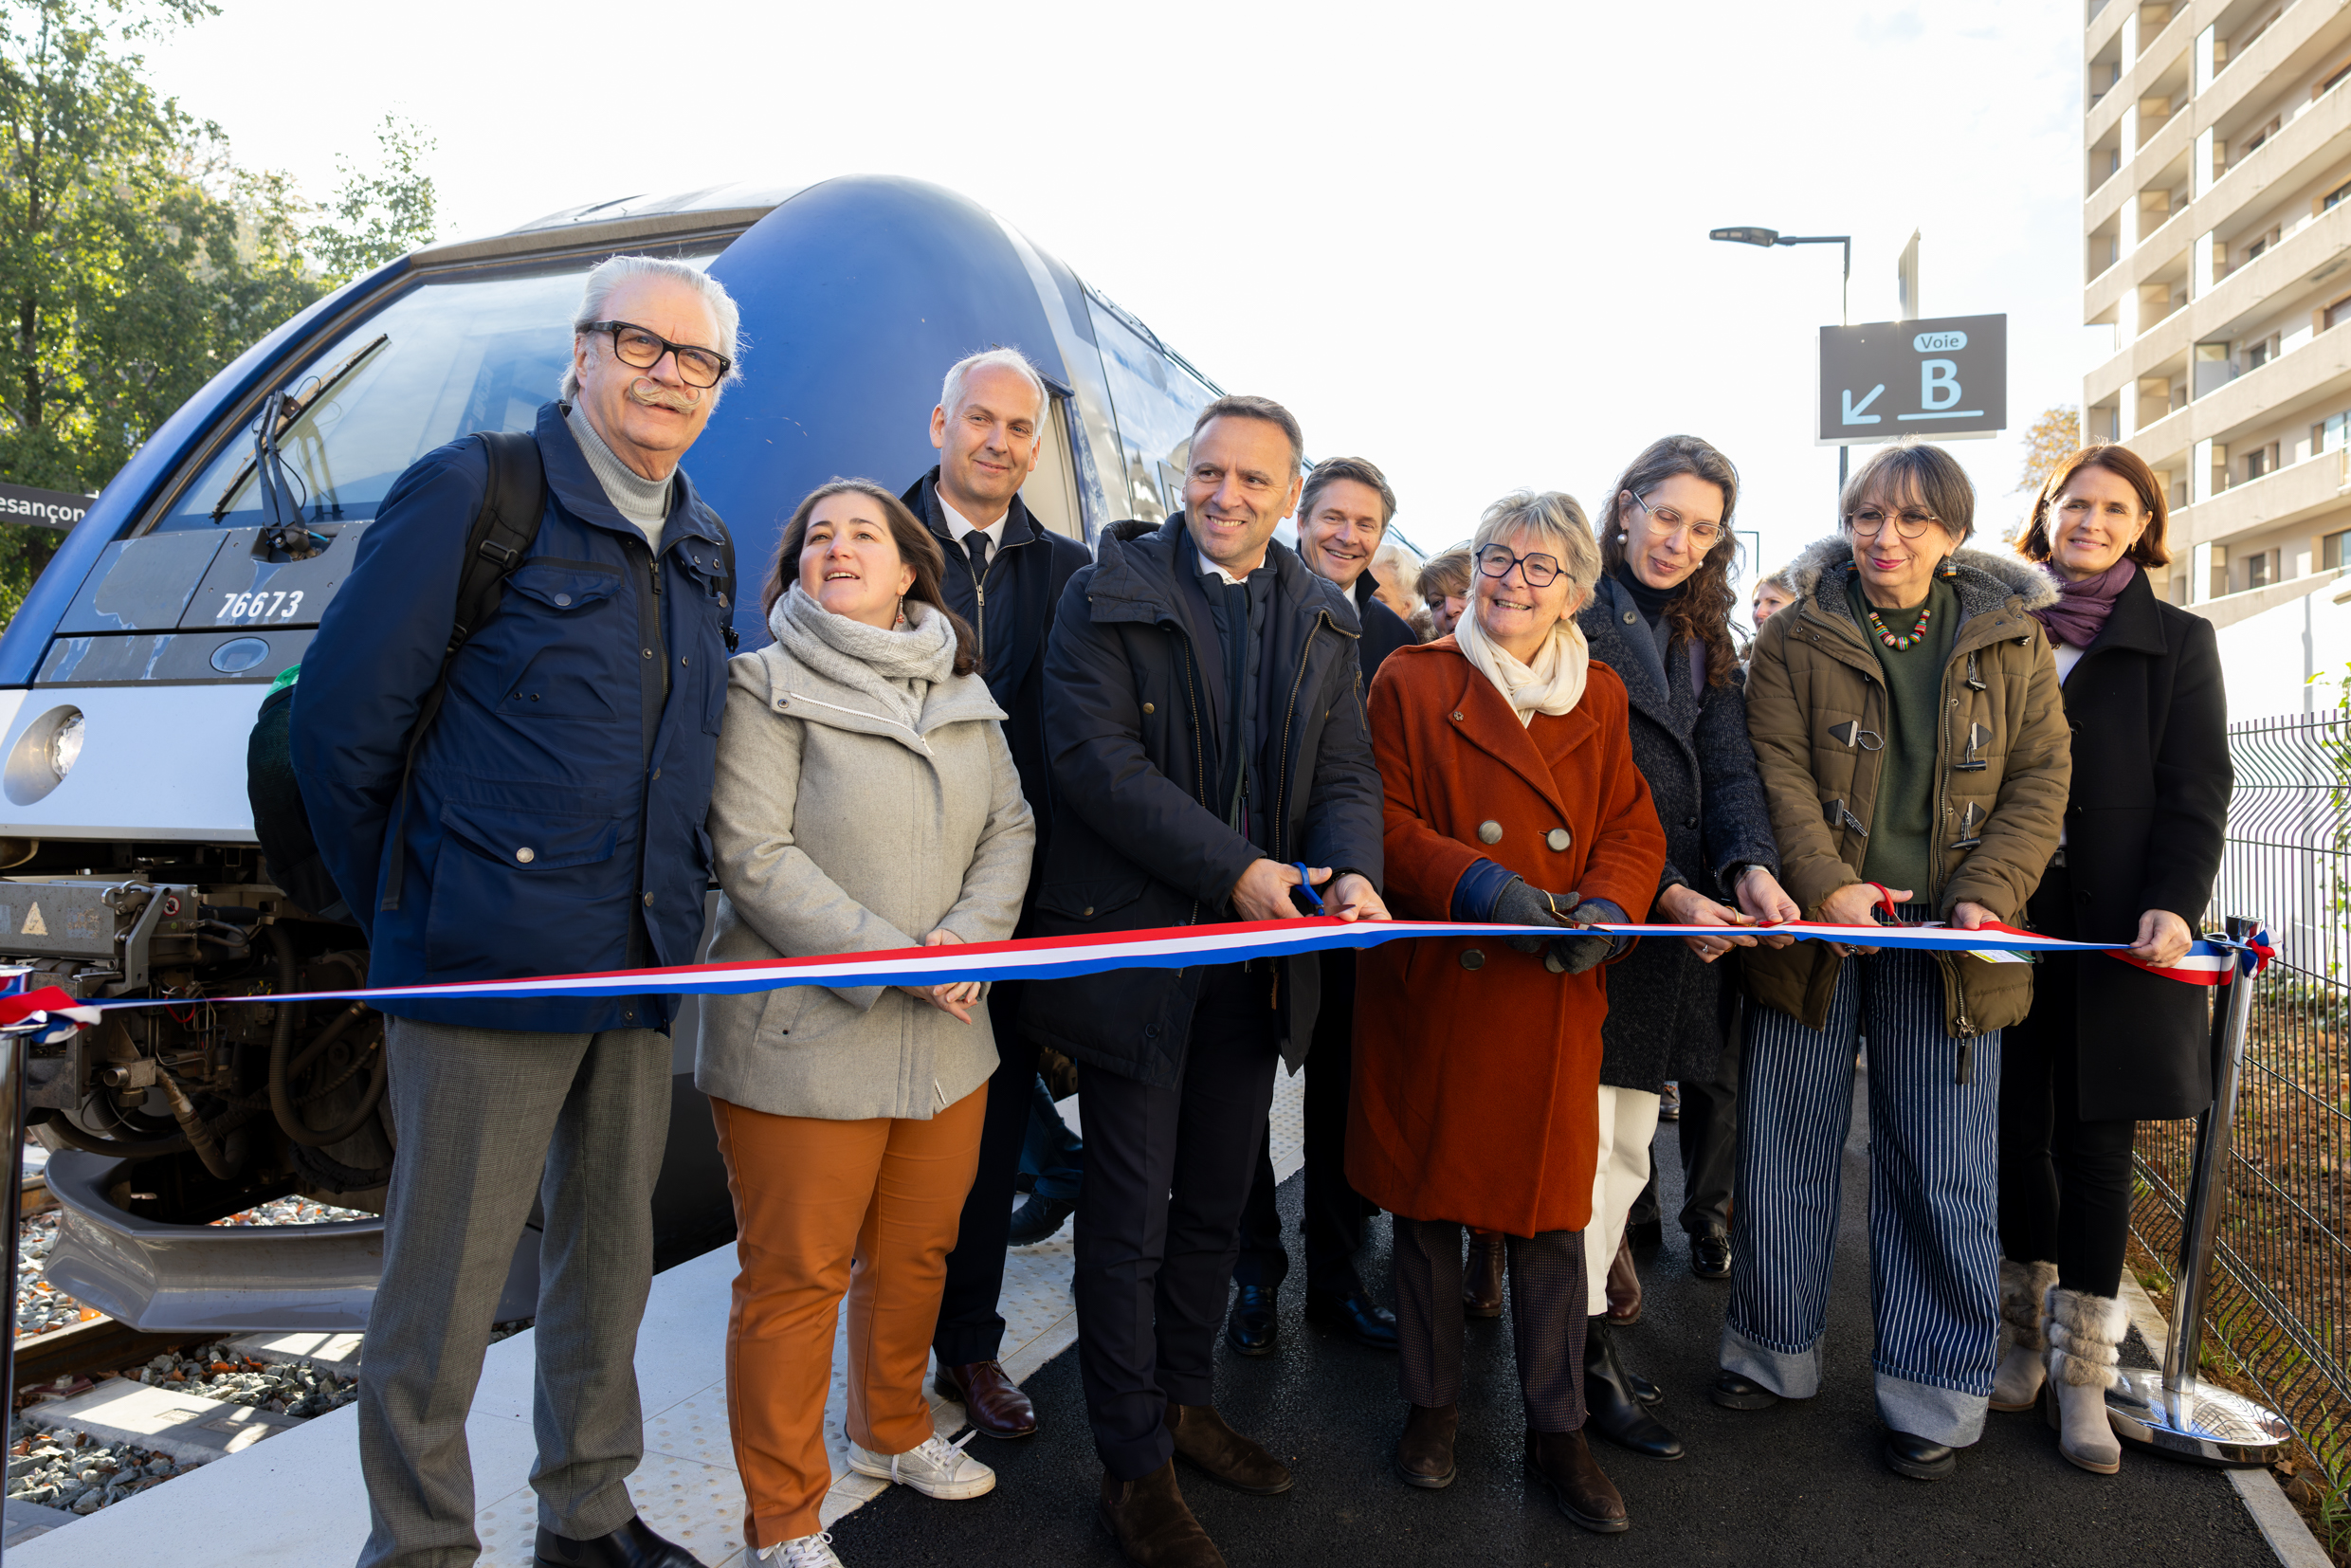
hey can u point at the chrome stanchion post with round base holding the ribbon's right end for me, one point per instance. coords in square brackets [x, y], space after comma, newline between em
[2171, 1412]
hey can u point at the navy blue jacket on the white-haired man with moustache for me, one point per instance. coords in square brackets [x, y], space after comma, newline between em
[556, 822]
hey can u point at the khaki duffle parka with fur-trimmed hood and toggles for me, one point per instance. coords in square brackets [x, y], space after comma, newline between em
[2004, 760]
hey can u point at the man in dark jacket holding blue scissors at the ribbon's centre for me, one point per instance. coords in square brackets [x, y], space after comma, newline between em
[1205, 718]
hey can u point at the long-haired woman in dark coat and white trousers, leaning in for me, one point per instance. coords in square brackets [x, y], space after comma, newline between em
[1661, 619]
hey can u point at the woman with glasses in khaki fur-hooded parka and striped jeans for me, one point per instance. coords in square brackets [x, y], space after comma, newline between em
[1915, 756]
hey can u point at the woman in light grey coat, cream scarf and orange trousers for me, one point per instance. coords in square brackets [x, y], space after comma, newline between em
[864, 800]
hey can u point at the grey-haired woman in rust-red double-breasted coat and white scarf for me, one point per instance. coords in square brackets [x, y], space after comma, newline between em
[1513, 798]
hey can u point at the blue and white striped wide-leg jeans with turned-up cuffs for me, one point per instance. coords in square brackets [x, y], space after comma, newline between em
[1934, 1198]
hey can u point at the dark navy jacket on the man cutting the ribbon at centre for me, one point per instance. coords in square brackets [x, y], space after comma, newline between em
[1137, 721]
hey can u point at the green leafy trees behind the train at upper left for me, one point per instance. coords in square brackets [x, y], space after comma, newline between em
[135, 255]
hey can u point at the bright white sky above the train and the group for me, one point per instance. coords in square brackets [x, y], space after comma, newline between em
[1468, 243]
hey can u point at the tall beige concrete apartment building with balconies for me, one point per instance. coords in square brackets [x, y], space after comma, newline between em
[2218, 246]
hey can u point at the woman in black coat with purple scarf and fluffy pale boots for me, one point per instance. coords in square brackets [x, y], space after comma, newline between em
[2108, 1045]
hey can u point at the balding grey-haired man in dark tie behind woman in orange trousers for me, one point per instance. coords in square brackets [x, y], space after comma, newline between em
[1005, 577]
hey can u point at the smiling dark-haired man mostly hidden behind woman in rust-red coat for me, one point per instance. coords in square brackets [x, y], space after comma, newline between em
[1341, 521]
